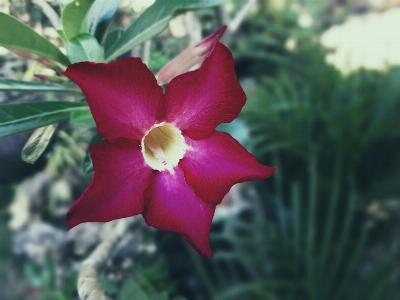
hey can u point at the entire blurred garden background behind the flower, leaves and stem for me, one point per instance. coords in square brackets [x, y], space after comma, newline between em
[322, 79]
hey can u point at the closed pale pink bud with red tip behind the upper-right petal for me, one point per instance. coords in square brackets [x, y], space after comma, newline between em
[188, 58]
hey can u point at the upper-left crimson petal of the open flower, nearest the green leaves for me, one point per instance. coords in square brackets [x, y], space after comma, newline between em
[123, 96]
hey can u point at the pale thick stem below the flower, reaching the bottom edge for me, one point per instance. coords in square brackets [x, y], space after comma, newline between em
[89, 286]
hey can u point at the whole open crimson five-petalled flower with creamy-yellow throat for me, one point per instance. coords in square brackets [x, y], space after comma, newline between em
[161, 156]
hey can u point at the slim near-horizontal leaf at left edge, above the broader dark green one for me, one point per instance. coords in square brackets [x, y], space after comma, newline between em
[28, 86]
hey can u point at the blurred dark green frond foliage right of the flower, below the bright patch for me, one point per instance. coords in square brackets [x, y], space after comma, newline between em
[326, 225]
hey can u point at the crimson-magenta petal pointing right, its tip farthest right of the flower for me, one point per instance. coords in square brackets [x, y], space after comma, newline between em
[212, 165]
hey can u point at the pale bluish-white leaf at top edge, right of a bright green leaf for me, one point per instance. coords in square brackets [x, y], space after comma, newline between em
[100, 16]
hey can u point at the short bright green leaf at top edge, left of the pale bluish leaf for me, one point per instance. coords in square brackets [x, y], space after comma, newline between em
[73, 17]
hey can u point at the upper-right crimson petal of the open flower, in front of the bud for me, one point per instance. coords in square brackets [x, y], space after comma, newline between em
[199, 100]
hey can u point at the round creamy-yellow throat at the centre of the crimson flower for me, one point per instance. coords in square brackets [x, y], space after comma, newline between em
[163, 146]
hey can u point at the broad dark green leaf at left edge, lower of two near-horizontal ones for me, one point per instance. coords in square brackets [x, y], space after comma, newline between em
[20, 117]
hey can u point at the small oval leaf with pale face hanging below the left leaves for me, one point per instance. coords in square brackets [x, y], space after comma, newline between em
[37, 143]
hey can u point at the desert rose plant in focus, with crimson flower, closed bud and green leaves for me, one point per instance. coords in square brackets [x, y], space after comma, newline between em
[159, 154]
